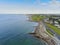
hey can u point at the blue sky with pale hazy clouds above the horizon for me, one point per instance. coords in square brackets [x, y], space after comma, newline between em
[29, 6]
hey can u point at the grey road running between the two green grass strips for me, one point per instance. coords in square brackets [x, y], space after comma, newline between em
[56, 37]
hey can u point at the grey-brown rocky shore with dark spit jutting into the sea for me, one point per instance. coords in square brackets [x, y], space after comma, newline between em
[38, 33]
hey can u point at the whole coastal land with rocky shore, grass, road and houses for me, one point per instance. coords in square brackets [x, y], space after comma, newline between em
[48, 28]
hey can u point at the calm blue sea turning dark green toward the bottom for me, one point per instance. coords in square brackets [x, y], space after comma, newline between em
[14, 30]
